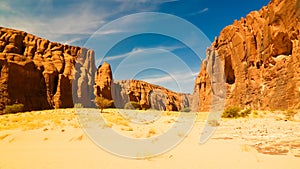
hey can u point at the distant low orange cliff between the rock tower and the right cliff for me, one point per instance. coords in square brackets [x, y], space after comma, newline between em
[148, 96]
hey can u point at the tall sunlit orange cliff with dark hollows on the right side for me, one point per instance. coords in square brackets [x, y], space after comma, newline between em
[260, 57]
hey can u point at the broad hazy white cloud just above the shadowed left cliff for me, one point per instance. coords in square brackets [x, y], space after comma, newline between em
[78, 19]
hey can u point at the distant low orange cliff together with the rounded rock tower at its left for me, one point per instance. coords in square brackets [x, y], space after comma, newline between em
[147, 95]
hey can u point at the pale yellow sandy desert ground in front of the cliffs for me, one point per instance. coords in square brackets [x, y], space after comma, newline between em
[55, 139]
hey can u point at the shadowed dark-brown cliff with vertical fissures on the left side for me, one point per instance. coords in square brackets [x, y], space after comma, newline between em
[39, 73]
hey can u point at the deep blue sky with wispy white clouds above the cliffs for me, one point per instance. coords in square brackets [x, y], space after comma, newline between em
[162, 60]
